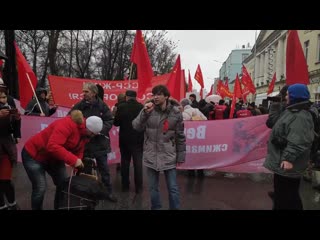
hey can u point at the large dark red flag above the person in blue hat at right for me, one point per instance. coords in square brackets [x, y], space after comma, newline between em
[296, 64]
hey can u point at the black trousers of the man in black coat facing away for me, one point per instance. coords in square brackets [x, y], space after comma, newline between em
[129, 151]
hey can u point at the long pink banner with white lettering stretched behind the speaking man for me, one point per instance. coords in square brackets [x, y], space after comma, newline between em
[235, 145]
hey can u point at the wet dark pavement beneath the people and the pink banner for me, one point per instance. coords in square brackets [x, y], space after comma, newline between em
[215, 192]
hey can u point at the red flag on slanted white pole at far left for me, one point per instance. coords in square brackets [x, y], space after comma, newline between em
[25, 90]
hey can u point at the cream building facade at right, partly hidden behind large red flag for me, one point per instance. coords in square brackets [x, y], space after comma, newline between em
[269, 56]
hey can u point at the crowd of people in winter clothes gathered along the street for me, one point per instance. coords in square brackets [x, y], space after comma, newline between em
[152, 135]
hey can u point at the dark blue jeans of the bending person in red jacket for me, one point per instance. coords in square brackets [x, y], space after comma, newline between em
[36, 173]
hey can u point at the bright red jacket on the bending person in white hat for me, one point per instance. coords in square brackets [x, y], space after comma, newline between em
[63, 140]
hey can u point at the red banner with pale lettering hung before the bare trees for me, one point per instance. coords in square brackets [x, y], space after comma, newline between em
[68, 91]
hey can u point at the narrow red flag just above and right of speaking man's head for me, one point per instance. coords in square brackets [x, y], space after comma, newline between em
[174, 82]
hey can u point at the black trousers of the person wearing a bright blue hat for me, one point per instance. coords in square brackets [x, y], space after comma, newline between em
[286, 193]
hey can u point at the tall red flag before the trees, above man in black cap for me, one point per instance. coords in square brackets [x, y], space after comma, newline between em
[140, 57]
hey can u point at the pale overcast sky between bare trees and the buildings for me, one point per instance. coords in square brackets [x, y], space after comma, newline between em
[204, 46]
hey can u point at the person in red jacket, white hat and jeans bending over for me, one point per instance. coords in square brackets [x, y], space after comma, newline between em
[62, 142]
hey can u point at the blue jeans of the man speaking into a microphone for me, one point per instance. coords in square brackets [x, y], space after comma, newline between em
[172, 186]
